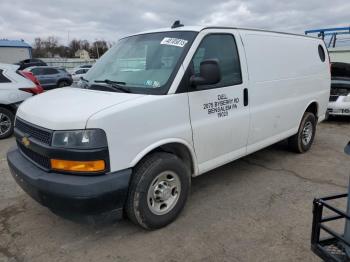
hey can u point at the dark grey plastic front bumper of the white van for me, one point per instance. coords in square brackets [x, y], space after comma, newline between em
[70, 194]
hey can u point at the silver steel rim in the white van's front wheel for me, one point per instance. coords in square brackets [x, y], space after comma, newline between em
[164, 193]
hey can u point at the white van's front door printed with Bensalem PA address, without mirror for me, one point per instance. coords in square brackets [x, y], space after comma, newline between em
[220, 113]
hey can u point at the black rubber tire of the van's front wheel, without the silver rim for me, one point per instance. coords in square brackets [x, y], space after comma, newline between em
[137, 206]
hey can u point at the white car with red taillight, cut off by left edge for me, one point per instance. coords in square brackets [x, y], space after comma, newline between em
[14, 89]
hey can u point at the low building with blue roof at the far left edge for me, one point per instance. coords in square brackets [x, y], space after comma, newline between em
[13, 51]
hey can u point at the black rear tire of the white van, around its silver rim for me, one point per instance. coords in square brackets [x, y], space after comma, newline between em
[296, 142]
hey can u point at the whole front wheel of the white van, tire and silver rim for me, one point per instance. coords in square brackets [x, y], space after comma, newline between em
[158, 190]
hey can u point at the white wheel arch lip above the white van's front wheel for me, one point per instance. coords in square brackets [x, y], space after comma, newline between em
[179, 147]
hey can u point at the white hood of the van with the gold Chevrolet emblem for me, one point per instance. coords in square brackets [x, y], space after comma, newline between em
[68, 108]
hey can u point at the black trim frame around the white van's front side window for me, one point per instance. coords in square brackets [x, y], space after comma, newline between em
[188, 88]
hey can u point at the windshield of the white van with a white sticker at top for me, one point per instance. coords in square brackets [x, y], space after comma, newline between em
[144, 63]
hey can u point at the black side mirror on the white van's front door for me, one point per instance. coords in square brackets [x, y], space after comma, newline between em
[209, 73]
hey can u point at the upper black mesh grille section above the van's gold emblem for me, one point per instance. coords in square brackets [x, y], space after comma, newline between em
[40, 134]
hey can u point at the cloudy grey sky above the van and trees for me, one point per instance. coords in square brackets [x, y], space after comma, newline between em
[112, 19]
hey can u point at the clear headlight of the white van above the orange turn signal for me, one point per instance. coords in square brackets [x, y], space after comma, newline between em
[80, 139]
